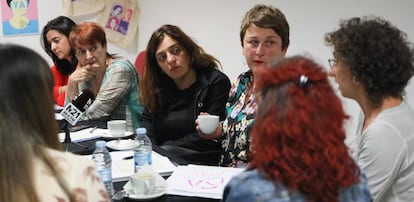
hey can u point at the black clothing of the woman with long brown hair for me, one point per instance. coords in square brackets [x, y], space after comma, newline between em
[175, 125]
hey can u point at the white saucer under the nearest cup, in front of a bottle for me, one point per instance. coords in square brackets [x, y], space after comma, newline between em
[160, 189]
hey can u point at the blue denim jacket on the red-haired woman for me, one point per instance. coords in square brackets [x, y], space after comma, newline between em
[252, 186]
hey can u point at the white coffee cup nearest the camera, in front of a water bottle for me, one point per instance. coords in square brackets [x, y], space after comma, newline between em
[143, 183]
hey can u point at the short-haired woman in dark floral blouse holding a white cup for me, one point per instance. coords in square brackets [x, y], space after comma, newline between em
[264, 37]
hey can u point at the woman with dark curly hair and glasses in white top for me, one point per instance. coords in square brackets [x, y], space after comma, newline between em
[373, 62]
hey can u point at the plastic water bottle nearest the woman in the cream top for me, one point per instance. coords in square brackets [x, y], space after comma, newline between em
[103, 162]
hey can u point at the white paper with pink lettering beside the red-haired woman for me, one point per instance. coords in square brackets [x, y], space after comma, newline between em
[201, 181]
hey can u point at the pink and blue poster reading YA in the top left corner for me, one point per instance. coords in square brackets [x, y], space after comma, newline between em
[19, 17]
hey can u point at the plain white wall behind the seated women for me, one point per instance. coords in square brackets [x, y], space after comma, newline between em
[214, 24]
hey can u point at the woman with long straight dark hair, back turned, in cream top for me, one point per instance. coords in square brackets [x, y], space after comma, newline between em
[33, 166]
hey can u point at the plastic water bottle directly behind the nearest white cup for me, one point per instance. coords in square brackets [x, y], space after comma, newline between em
[142, 153]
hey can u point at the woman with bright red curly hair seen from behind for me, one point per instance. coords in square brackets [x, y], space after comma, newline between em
[297, 142]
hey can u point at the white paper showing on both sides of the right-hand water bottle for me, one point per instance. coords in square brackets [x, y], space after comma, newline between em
[122, 168]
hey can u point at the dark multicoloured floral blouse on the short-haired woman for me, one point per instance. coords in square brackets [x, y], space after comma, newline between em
[240, 108]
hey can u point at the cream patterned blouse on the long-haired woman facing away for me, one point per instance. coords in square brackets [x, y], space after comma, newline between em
[79, 174]
